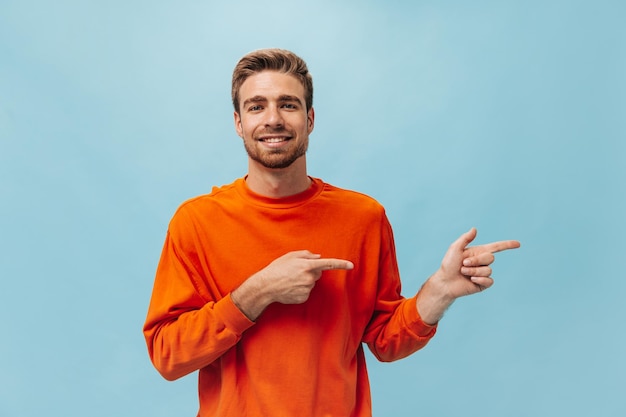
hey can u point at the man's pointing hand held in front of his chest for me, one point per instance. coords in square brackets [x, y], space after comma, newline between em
[287, 280]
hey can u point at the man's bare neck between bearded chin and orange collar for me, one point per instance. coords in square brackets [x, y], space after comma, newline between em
[278, 183]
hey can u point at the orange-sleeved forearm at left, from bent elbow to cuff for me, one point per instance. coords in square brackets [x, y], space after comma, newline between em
[195, 339]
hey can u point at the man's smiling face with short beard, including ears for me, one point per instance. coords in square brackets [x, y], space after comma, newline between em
[272, 119]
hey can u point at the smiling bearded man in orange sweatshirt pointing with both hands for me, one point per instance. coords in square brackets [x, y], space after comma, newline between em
[271, 285]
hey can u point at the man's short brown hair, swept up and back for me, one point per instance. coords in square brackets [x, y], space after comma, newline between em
[272, 59]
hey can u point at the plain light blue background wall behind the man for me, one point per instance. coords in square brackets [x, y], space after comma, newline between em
[504, 115]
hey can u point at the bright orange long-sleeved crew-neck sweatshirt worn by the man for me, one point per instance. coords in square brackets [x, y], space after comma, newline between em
[304, 360]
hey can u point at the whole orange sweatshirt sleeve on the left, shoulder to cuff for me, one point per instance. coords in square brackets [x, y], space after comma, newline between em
[188, 325]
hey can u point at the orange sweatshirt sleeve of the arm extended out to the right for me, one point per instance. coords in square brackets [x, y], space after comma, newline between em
[396, 329]
